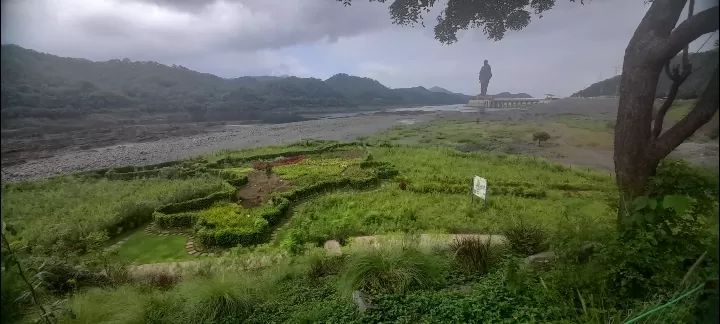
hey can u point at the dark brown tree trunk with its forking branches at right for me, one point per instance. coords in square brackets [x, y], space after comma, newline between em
[653, 44]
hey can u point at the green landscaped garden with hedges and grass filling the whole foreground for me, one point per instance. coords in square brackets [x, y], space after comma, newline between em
[276, 234]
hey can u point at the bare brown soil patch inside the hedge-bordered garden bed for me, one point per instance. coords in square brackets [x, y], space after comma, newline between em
[259, 188]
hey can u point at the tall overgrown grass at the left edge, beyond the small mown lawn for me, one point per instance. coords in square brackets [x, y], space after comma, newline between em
[66, 207]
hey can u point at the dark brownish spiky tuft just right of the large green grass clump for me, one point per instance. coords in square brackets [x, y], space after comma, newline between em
[474, 254]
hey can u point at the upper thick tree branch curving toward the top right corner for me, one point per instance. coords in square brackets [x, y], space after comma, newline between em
[704, 22]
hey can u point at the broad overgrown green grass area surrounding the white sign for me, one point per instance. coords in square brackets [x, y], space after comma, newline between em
[438, 197]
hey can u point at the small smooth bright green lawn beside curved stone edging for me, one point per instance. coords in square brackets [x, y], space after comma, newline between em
[144, 248]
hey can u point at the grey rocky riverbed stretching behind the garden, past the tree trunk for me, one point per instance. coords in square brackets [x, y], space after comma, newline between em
[183, 141]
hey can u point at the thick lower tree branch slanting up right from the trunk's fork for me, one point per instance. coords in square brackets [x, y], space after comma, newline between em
[704, 110]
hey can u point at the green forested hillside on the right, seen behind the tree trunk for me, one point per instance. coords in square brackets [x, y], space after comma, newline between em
[702, 64]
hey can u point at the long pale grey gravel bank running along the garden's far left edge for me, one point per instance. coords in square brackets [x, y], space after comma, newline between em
[184, 147]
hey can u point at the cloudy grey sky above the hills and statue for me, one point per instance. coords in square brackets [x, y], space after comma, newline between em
[566, 50]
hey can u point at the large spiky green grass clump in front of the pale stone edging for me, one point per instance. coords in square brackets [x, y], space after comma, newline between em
[392, 271]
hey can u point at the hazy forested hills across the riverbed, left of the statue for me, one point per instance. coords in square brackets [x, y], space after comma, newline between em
[40, 88]
